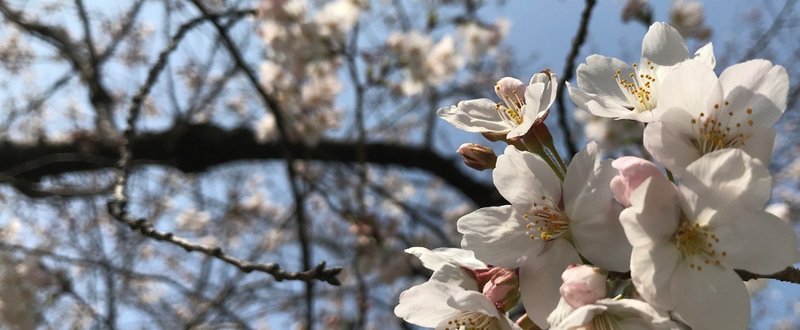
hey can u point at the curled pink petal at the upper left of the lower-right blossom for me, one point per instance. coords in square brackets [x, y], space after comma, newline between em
[632, 172]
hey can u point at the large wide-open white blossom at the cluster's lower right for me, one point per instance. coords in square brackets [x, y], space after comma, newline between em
[688, 240]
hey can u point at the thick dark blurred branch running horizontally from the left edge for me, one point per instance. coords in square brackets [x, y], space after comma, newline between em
[199, 147]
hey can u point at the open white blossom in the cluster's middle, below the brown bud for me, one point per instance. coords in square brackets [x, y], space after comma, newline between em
[535, 231]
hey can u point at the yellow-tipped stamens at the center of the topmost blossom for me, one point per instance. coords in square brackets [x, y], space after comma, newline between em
[639, 86]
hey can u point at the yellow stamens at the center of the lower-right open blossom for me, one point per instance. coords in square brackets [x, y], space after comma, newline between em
[696, 244]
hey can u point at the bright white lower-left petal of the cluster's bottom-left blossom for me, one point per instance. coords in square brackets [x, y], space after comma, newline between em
[425, 304]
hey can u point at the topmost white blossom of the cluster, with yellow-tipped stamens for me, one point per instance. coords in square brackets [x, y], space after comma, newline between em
[608, 87]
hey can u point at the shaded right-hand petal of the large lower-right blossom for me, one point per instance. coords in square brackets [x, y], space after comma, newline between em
[754, 240]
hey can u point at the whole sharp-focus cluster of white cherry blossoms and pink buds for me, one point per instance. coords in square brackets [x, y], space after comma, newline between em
[624, 243]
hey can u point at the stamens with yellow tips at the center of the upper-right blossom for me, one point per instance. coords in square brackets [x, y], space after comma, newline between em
[720, 129]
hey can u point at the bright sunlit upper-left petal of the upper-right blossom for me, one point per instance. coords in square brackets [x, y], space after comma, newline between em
[691, 86]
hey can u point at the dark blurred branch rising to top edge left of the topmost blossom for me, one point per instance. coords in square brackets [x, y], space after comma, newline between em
[569, 71]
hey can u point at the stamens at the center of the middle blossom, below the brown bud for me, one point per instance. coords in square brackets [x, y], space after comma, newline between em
[545, 220]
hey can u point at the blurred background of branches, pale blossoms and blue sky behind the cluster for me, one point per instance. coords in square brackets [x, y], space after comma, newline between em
[295, 132]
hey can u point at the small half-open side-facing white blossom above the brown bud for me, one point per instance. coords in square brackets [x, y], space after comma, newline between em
[521, 109]
